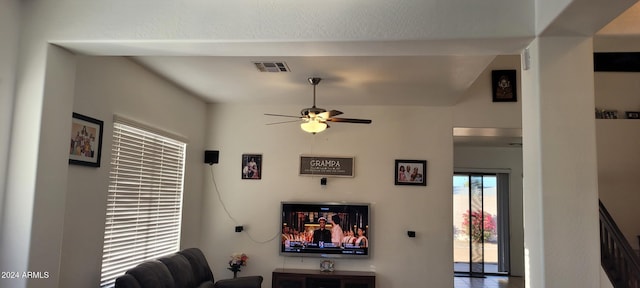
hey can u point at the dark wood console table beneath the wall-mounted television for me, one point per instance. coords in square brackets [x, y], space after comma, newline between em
[307, 278]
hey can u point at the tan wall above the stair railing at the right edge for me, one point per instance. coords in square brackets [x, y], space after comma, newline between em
[618, 156]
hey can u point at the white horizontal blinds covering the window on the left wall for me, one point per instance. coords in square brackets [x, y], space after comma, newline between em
[144, 200]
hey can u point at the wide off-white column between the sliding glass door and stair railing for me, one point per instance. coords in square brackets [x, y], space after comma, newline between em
[559, 159]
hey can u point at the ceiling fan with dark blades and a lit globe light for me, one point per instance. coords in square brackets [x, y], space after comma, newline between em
[315, 119]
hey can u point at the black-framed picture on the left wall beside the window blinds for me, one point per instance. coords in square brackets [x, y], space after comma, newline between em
[85, 146]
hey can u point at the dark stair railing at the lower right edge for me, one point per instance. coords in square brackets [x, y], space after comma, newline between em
[618, 259]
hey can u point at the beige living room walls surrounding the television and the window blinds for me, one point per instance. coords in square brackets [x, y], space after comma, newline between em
[113, 85]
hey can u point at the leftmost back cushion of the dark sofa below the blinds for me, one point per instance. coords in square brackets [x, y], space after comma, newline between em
[152, 274]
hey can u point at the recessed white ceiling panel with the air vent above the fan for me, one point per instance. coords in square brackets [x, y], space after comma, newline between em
[346, 80]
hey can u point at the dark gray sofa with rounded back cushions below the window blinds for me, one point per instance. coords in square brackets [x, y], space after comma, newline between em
[185, 269]
